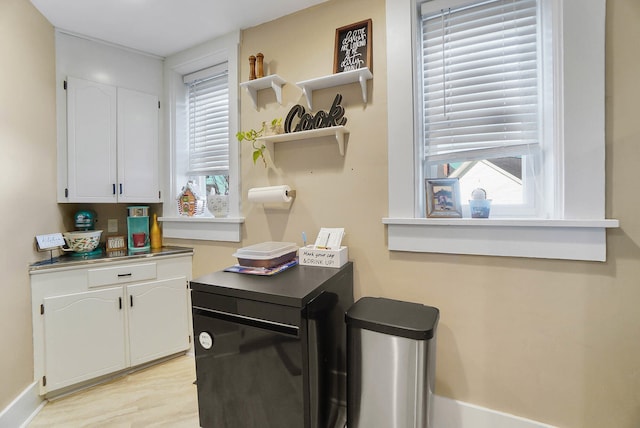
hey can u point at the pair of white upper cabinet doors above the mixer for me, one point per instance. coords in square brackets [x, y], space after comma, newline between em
[112, 144]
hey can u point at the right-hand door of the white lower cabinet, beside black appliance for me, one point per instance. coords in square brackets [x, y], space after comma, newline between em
[158, 319]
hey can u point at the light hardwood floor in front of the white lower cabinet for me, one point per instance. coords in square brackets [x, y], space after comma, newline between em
[159, 396]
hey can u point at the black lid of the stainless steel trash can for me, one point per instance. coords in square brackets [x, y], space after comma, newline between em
[394, 317]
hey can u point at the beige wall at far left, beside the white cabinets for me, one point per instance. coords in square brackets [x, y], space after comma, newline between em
[28, 174]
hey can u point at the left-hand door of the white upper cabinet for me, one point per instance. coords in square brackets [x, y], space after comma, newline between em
[91, 141]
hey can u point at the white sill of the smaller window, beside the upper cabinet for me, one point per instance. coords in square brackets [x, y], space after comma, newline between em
[202, 228]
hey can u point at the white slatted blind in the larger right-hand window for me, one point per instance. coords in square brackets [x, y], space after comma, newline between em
[480, 81]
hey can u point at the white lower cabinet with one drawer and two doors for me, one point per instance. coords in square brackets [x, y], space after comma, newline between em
[85, 329]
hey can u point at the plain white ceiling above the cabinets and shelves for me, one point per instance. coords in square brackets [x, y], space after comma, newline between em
[162, 27]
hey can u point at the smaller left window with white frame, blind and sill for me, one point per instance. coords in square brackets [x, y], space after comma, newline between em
[202, 91]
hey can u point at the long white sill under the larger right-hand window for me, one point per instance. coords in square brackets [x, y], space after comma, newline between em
[536, 238]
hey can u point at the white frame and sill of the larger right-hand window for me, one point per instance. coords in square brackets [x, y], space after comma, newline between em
[576, 226]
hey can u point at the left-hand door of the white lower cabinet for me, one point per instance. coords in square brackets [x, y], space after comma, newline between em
[84, 336]
